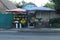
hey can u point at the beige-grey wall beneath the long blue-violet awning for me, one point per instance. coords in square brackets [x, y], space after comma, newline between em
[45, 15]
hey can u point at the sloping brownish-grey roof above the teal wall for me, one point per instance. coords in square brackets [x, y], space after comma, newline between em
[7, 4]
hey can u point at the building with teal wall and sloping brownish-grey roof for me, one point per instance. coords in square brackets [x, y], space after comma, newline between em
[6, 19]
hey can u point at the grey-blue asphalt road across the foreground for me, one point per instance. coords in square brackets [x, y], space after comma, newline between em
[28, 36]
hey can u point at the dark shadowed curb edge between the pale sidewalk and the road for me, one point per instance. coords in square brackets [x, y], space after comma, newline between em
[41, 31]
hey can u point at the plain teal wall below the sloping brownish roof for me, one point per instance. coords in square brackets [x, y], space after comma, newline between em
[6, 20]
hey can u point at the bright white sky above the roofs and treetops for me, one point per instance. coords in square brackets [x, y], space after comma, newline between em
[37, 2]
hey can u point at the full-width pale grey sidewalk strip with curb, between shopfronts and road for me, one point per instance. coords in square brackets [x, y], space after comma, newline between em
[42, 30]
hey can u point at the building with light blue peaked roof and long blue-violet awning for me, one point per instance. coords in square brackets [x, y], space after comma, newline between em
[40, 14]
